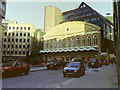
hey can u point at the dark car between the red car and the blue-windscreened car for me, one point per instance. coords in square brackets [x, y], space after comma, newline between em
[56, 64]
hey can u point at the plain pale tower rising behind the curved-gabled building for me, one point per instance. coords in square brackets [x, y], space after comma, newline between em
[51, 18]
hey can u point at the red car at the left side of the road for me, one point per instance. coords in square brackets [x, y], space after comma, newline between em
[15, 68]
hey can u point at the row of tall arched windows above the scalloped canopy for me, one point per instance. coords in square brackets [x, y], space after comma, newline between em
[73, 42]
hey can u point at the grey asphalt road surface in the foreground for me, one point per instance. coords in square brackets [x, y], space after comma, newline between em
[53, 79]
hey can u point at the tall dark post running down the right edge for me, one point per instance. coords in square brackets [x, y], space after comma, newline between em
[116, 15]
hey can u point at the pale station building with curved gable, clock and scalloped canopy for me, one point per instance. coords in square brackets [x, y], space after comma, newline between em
[75, 39]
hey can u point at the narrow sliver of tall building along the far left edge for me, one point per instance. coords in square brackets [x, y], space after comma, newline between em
[2, 15]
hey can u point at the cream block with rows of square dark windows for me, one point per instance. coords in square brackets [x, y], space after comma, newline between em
[18, 39]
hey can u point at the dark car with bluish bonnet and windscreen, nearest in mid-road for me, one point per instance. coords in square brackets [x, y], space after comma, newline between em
[74, 69]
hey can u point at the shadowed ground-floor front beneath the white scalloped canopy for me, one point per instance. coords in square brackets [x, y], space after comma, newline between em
[68, 56]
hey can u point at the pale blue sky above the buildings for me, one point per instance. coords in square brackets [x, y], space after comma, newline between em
[33, 12]
